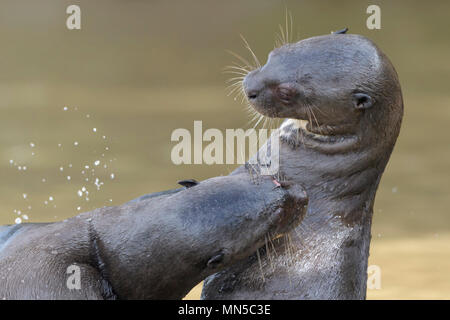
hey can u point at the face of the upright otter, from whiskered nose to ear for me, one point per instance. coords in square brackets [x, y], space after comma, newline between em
[329, 81]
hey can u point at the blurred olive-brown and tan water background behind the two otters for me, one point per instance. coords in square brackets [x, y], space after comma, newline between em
[86, 115]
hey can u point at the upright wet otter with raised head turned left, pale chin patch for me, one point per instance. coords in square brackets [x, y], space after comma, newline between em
[344, 106]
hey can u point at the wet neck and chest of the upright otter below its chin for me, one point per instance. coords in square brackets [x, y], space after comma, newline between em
[332, 243]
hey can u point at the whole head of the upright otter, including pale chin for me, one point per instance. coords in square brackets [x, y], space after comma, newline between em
[336, 87]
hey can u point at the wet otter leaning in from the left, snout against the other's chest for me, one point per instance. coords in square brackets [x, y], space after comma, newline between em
[155, 248]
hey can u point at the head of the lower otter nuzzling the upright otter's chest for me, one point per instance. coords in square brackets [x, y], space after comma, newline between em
[237, 234]
